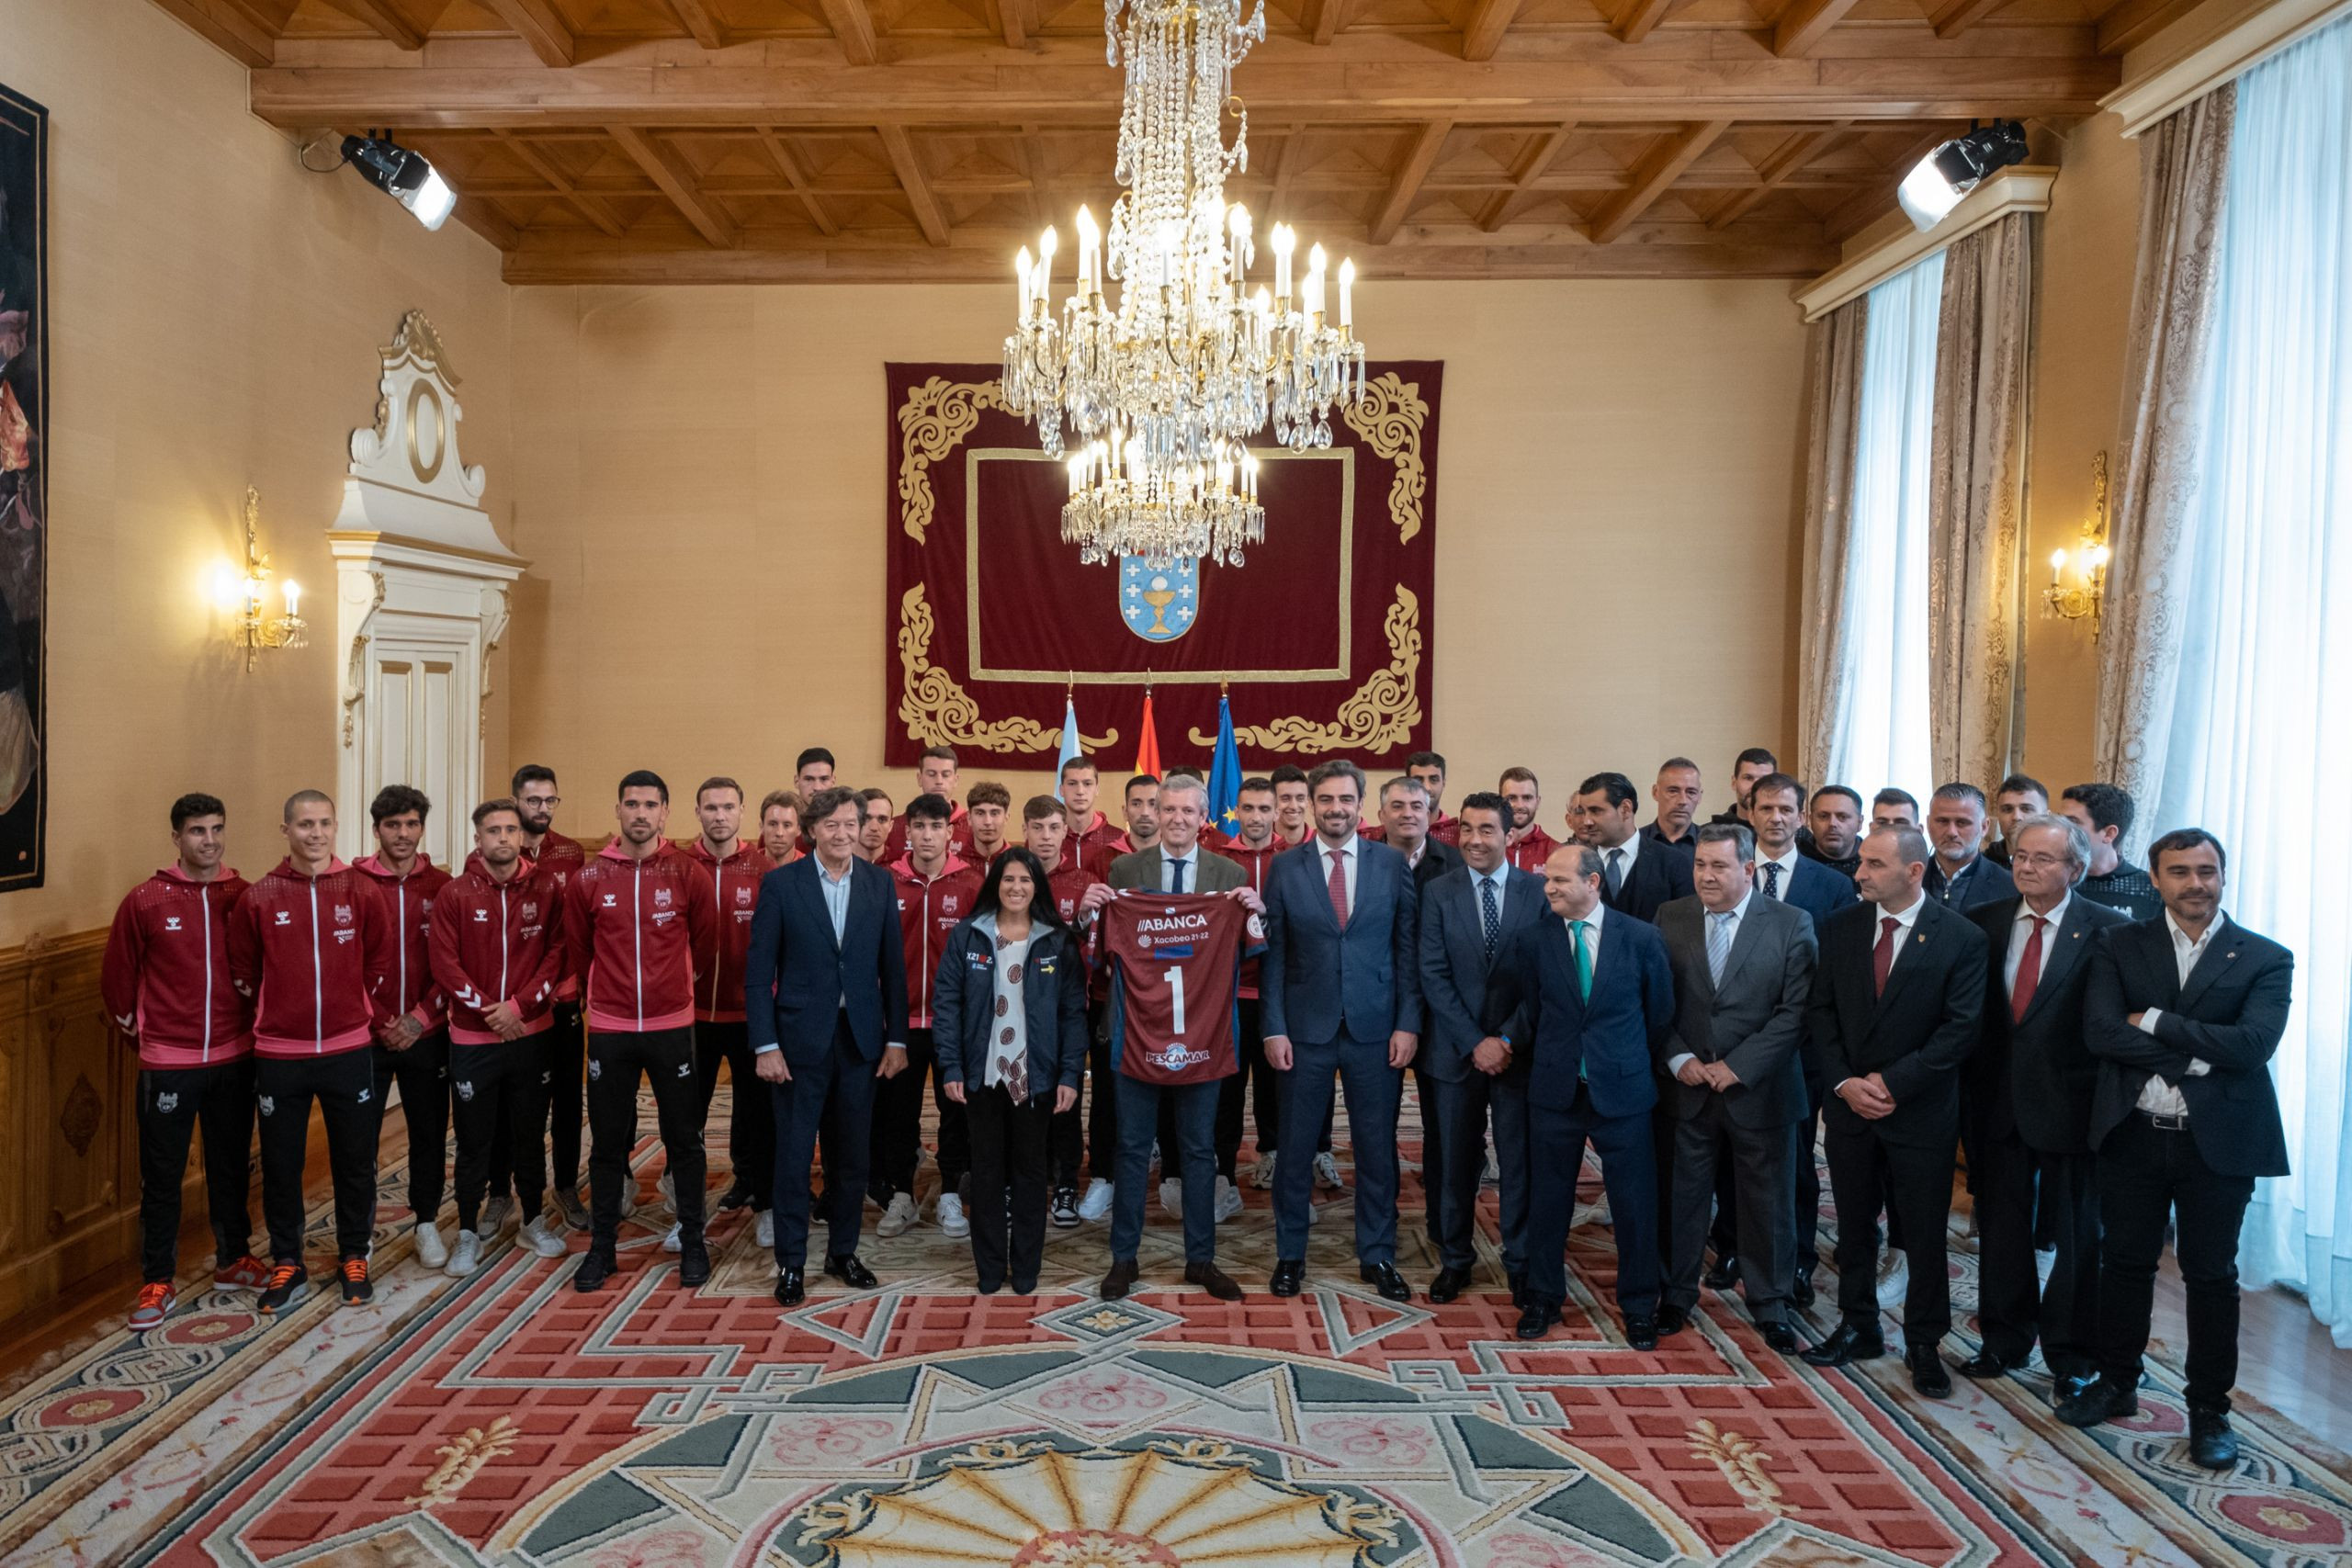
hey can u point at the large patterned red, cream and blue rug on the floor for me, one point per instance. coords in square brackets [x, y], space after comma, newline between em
[514, 1421]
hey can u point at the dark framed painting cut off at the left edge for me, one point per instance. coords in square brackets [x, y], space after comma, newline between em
[25, 483]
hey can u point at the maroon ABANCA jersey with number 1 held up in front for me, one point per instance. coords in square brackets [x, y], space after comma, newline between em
[1180, 960]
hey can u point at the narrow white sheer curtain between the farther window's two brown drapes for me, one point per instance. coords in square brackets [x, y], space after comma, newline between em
[1880, 730]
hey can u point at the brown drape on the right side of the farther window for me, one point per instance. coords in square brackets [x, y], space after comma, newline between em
[1977, 500]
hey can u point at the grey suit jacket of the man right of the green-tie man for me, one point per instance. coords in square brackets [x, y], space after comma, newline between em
[1753, 1021]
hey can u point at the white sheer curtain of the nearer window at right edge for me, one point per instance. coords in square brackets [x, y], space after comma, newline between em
[2261, 725]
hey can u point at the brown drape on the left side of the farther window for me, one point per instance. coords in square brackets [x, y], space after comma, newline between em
[1833, 417]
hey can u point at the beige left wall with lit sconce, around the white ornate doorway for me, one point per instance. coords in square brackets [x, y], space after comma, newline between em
[213, 323]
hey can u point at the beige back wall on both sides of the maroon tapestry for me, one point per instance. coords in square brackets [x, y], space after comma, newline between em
[704, 478]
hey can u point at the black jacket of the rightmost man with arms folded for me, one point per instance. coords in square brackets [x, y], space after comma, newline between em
[2229, 1017]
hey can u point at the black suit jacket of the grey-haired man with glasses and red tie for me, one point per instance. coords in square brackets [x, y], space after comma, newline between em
[2036, 1078]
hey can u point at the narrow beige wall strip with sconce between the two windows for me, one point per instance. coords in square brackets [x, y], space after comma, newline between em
[2085, 311]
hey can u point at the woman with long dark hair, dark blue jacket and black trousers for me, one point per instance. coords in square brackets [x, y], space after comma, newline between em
[1010, 1026]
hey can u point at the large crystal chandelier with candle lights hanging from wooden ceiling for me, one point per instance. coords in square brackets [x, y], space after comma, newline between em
[1165, 389]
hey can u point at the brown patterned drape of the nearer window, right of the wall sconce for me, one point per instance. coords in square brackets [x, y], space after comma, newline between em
[2184, 170]
